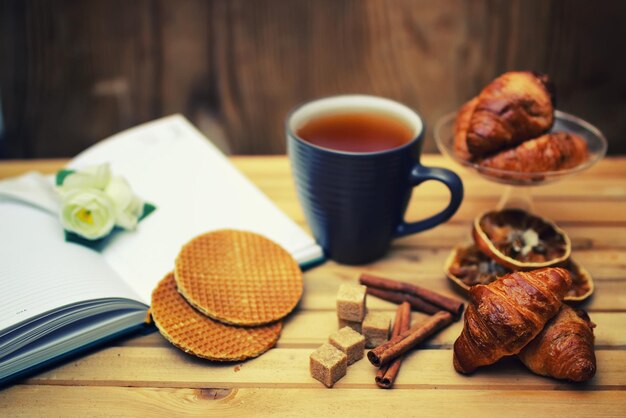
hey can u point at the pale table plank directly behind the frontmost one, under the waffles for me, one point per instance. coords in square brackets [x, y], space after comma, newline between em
[288, 367]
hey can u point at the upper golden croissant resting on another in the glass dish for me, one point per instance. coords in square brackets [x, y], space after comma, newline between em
[513, 108]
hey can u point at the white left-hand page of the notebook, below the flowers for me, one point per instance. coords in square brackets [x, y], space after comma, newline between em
[39, 271]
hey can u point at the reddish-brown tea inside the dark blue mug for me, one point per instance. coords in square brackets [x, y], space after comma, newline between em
[356, 132]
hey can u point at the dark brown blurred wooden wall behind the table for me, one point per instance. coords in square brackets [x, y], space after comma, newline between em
[73, 72]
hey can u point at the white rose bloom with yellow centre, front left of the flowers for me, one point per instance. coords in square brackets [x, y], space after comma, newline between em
[88, 212]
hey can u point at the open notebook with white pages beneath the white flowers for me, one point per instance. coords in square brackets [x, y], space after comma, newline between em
[57, 298]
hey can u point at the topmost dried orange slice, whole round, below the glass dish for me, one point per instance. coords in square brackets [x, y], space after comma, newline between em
[519, 240]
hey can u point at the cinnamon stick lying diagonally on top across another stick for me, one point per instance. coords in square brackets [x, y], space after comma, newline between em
[385, 353]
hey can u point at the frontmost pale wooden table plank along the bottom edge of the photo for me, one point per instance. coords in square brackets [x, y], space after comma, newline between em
[260, 402]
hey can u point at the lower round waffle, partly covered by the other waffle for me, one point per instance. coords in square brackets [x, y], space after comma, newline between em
[196, 334]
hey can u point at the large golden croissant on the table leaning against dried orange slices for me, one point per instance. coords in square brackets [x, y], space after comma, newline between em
[507, 314]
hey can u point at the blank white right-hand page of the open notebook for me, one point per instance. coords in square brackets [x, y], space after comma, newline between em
[195, 188]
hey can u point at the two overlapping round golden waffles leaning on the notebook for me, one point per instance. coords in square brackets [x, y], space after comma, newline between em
[227, 295]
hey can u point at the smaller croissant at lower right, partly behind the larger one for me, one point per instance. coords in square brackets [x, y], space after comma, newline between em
[564, 349]
